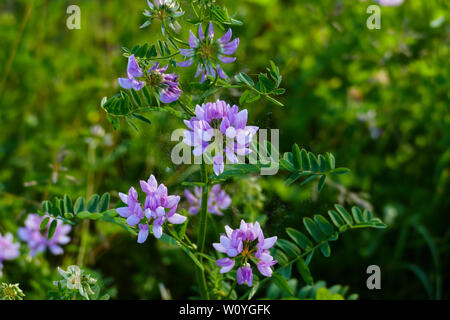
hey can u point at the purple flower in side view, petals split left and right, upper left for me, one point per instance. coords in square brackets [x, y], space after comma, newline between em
[166, 84]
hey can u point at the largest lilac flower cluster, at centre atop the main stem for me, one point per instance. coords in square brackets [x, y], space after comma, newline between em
[231, 122]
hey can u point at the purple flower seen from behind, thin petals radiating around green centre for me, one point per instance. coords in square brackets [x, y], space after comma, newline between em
[207, 52]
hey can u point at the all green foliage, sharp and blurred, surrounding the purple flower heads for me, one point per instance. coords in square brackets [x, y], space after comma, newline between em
[378, 99]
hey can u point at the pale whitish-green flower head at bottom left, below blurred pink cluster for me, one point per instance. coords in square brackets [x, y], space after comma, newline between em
[75, 280]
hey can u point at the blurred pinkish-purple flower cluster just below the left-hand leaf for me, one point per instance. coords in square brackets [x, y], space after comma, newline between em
[38, 241]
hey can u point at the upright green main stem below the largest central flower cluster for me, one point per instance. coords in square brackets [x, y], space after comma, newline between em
[202, 232]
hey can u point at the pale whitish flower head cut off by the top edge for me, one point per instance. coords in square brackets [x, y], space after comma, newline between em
[165, 10]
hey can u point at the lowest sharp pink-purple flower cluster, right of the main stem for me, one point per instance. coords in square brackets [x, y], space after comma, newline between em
[242, 245]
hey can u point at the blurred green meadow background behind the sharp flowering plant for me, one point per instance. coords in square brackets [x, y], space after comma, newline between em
[377, 99]
